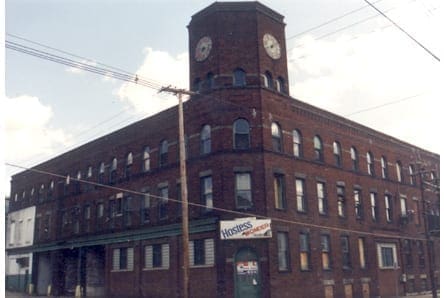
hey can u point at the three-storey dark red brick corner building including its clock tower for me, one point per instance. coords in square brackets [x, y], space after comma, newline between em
[346, 202]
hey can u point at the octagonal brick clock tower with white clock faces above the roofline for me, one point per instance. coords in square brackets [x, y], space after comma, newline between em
[237, 45]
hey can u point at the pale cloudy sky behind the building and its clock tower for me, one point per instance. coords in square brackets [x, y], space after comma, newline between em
[357, 65]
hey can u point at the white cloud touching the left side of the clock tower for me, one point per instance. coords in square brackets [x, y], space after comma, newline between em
[158, 66]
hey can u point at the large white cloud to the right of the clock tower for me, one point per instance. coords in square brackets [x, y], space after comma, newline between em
[347, 74]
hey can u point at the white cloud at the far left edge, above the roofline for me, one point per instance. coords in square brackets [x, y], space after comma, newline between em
[28, 133]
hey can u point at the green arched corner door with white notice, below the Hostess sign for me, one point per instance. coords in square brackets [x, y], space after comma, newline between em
[247, 275]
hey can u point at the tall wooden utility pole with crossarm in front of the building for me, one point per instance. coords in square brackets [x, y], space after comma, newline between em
[183, 188]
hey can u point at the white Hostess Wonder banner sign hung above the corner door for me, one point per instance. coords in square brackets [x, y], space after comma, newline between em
[245, 228]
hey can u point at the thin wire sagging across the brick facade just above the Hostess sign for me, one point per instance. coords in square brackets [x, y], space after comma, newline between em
[234, 212]
